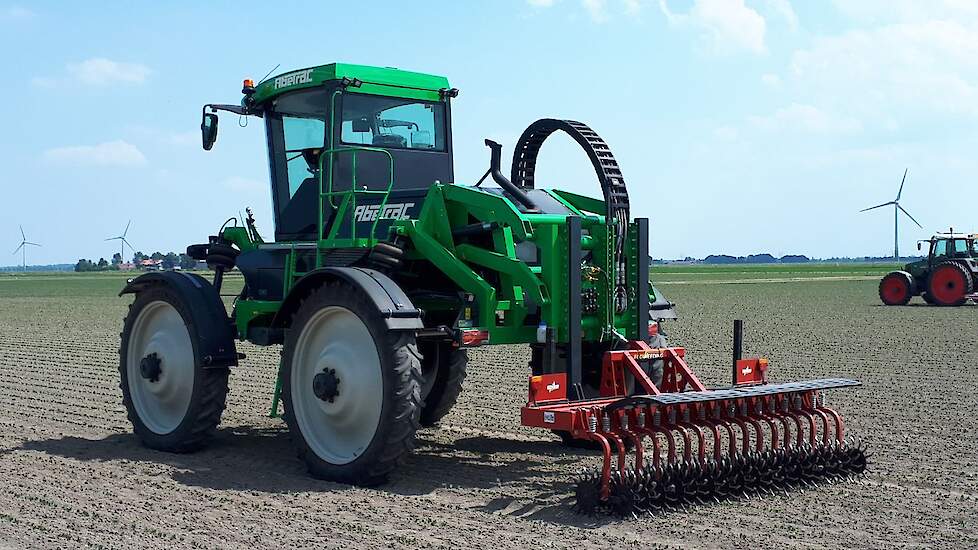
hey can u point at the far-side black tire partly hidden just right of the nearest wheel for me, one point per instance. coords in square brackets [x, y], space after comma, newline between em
[444, 367]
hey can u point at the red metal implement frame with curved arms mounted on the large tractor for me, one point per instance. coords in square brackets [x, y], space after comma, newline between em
[683, 419]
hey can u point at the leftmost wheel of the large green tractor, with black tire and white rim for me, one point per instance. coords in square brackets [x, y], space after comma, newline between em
[205, 389]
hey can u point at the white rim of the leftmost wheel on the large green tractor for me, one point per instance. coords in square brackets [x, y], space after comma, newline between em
[161, 404]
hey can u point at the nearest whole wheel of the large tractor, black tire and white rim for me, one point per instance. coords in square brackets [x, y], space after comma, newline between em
[351, 387]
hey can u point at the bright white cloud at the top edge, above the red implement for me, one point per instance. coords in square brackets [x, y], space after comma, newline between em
[729, 25]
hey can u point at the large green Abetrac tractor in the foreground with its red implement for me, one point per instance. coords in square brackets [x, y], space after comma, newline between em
[383, 272]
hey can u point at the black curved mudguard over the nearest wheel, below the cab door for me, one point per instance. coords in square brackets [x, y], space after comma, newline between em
[398, 311]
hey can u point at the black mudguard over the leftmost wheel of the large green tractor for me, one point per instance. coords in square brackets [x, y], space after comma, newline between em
[215, 334]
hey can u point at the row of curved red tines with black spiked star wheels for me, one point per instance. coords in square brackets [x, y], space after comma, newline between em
[707, 452]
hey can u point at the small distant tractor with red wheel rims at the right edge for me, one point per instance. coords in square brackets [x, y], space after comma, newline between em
[947, 277]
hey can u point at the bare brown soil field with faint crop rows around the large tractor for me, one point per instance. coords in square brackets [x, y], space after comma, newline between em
[73, 476]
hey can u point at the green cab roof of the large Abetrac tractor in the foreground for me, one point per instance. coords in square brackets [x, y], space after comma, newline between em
[375, 80]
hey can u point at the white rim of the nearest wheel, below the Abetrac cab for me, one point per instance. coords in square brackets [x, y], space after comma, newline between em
[335, 339]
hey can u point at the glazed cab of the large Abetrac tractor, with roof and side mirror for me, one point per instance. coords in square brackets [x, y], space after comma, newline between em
[371, 140]
